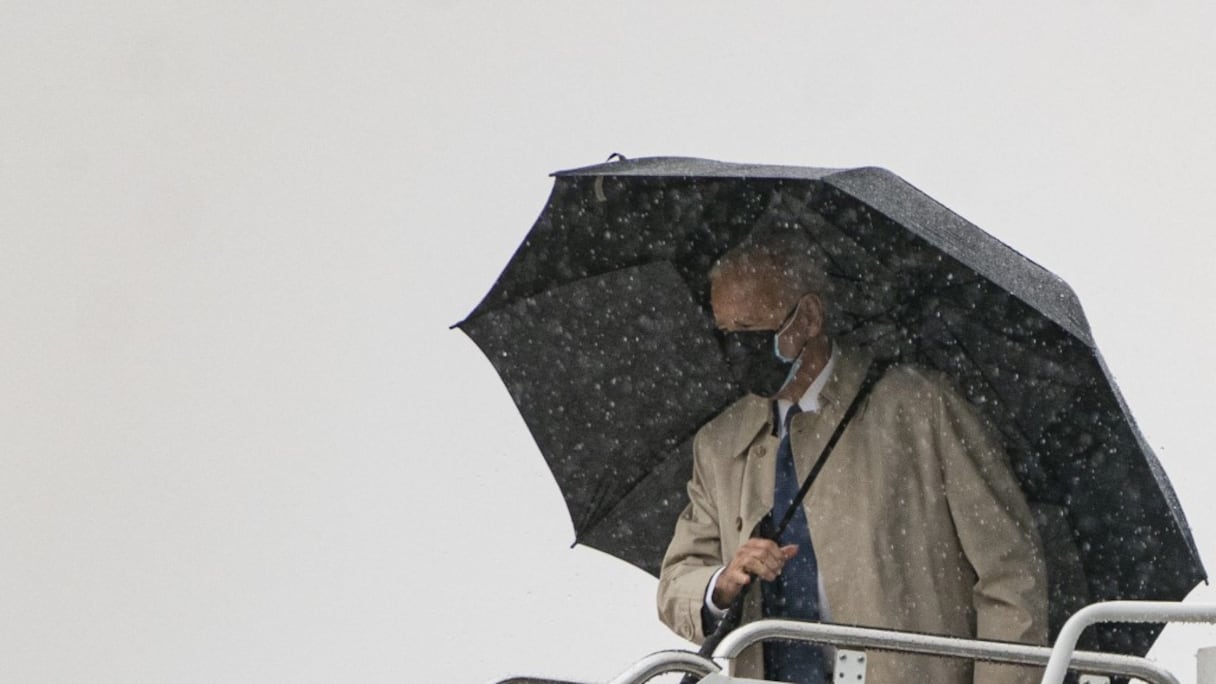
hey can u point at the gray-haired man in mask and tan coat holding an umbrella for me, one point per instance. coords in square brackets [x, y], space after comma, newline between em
[916, 523]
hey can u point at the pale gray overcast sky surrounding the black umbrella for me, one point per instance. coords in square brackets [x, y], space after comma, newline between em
[239, 442]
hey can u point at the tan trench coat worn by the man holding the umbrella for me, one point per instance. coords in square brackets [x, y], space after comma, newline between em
[917, 522]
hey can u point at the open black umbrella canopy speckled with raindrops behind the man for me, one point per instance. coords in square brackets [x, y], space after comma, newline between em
[600, 328]
